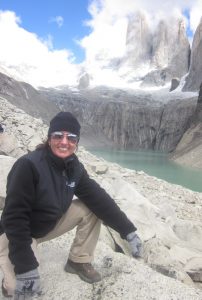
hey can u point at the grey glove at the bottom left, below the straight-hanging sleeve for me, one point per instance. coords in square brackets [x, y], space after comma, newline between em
[27, 285]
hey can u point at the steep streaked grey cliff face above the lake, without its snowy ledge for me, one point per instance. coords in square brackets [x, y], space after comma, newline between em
[133, 126]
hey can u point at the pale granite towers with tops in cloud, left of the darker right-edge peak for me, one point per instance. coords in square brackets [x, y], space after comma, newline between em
[156, 55]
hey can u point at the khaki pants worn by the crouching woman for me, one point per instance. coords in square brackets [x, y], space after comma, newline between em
[83, 246]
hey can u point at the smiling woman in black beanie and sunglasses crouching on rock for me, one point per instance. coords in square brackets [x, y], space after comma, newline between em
[39, 206]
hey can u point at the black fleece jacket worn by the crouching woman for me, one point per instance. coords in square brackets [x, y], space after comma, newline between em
[40, 188]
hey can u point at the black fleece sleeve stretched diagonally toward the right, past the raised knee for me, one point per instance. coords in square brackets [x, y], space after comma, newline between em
[102, 205]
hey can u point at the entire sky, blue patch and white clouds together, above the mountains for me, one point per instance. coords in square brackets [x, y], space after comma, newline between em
[49, 42]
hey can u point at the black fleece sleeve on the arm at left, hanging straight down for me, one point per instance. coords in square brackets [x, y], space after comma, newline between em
[15, 216]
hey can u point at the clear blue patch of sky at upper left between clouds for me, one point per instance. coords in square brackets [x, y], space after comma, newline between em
[38, 16]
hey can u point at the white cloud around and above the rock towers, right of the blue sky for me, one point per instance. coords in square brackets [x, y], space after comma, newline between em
[109, 25]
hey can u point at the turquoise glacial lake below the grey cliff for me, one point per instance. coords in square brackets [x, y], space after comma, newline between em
[155, 164]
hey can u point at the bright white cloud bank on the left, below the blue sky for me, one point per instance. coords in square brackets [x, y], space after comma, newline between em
[26, 56]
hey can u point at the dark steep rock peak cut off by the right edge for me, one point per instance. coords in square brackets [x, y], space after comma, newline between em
[194, 78]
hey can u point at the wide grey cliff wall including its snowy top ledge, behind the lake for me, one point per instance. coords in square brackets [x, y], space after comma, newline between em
[128, 121]
